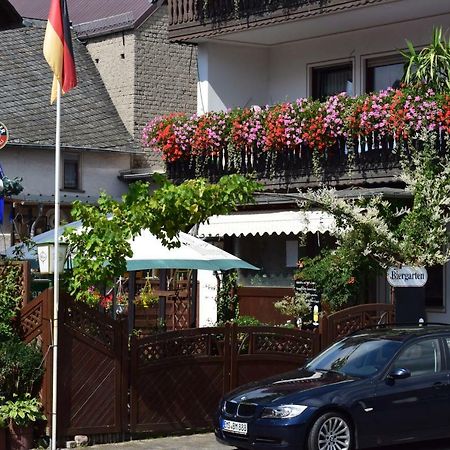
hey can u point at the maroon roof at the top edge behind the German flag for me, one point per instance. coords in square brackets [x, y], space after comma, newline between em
[95, 16]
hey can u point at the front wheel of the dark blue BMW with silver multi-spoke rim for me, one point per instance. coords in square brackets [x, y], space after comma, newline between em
[331, 431]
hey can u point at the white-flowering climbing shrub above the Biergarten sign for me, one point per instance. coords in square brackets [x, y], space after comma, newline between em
[391, 234]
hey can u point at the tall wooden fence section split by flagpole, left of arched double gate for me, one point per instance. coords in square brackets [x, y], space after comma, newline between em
[92, 365]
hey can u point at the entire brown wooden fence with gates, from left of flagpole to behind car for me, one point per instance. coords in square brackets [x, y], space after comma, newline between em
[110, 385]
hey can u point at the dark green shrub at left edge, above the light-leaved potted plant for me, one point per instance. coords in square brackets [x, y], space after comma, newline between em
[20, 368]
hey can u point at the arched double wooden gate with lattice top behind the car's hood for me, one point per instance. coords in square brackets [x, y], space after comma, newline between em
[178, 378]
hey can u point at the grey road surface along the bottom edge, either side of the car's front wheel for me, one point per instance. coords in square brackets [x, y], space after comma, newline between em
[207, 442]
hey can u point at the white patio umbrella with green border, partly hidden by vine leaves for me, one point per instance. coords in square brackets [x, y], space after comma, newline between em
[150, 253]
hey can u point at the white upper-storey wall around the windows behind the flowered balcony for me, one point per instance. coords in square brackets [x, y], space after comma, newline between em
[240, 75]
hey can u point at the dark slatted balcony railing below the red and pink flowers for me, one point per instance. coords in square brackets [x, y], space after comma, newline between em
[373, 157]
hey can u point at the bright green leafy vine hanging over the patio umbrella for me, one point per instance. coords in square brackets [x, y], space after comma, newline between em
[100, 251]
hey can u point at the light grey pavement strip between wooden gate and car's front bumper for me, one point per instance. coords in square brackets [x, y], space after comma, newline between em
[205, 441]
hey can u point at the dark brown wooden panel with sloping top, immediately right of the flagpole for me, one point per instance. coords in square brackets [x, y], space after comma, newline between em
[92, 377]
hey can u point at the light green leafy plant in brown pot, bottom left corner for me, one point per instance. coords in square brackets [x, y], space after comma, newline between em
[20, 413]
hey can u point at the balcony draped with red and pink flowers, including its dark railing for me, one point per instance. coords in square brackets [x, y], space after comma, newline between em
[343, 141]
